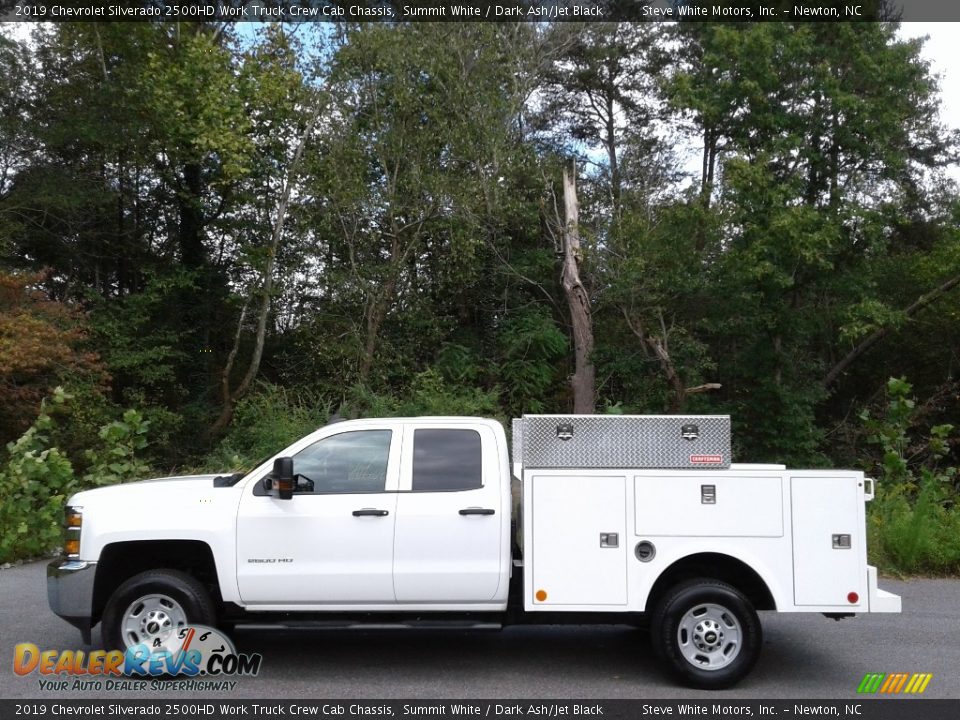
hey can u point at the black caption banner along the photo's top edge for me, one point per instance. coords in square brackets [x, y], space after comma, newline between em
[298, 11]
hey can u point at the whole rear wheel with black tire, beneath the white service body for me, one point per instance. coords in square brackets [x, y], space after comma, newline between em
[707, 633]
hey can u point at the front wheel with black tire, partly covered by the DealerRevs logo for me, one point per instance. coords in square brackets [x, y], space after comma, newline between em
[149, 607]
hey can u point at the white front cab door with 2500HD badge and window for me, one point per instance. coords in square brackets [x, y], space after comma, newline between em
[331, 544]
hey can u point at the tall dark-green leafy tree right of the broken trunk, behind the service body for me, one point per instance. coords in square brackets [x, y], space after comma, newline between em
[818, 138]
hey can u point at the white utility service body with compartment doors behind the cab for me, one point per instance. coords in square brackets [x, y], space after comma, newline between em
[775, 521]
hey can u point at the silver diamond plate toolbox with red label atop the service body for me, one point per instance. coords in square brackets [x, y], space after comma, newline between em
[622, 441]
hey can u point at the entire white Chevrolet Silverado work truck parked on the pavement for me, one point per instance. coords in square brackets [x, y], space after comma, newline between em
[407, 522]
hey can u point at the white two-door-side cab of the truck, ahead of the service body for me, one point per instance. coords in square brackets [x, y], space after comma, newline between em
[385, 515]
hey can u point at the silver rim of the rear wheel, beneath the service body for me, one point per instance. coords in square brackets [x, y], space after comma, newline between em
[709, 636]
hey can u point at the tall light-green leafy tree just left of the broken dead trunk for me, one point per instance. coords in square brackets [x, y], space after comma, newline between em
[414, 193]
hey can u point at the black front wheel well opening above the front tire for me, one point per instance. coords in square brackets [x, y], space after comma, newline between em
[121, 561]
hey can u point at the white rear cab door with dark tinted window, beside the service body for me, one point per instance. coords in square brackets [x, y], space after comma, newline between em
[450, 518]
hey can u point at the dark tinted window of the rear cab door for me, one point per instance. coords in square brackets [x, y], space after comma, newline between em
[446, 460]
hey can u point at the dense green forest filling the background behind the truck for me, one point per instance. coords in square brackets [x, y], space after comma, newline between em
[212, 237]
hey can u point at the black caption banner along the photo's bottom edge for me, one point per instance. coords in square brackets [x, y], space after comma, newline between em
[854, 709]
